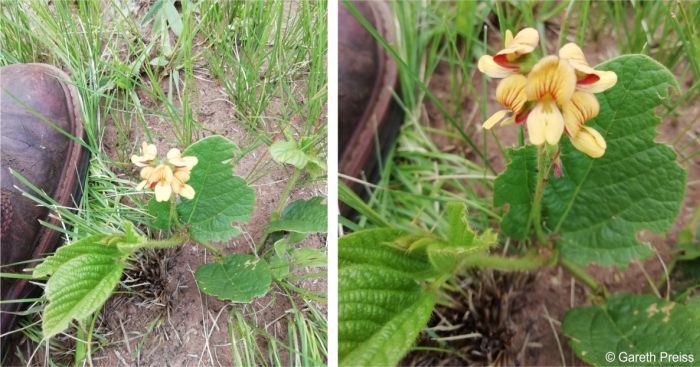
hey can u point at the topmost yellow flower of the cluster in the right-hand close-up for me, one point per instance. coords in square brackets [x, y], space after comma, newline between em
[506, 61]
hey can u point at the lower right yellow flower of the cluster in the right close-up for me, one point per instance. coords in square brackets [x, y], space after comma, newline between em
[581, 108]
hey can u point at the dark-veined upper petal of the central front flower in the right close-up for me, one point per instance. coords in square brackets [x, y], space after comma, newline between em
[551, 78]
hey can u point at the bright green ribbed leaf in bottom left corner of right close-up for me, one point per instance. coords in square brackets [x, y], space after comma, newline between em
[382, 307]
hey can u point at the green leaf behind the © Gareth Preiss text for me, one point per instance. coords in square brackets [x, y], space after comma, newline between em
[634, 324]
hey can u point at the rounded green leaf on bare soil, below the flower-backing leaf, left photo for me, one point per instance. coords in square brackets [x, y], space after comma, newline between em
[239, 278]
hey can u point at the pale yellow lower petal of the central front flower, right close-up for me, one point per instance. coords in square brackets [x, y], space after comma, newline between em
[545, 123]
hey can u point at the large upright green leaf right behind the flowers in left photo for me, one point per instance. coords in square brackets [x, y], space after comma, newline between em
[221, 198]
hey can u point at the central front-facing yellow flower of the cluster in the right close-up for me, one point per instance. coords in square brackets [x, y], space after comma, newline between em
[550, 84]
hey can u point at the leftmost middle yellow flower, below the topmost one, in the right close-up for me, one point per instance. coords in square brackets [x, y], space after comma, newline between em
[510, 93]
